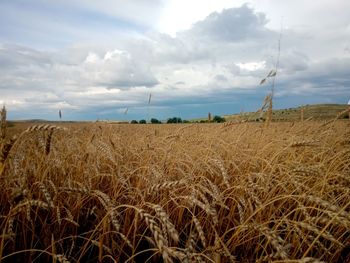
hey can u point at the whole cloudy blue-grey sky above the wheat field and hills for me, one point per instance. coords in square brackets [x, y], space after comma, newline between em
[102, 59]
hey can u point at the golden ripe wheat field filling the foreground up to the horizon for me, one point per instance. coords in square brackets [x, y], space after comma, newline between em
[177, 193]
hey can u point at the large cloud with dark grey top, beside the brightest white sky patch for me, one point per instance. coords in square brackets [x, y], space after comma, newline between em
[232, 34]
